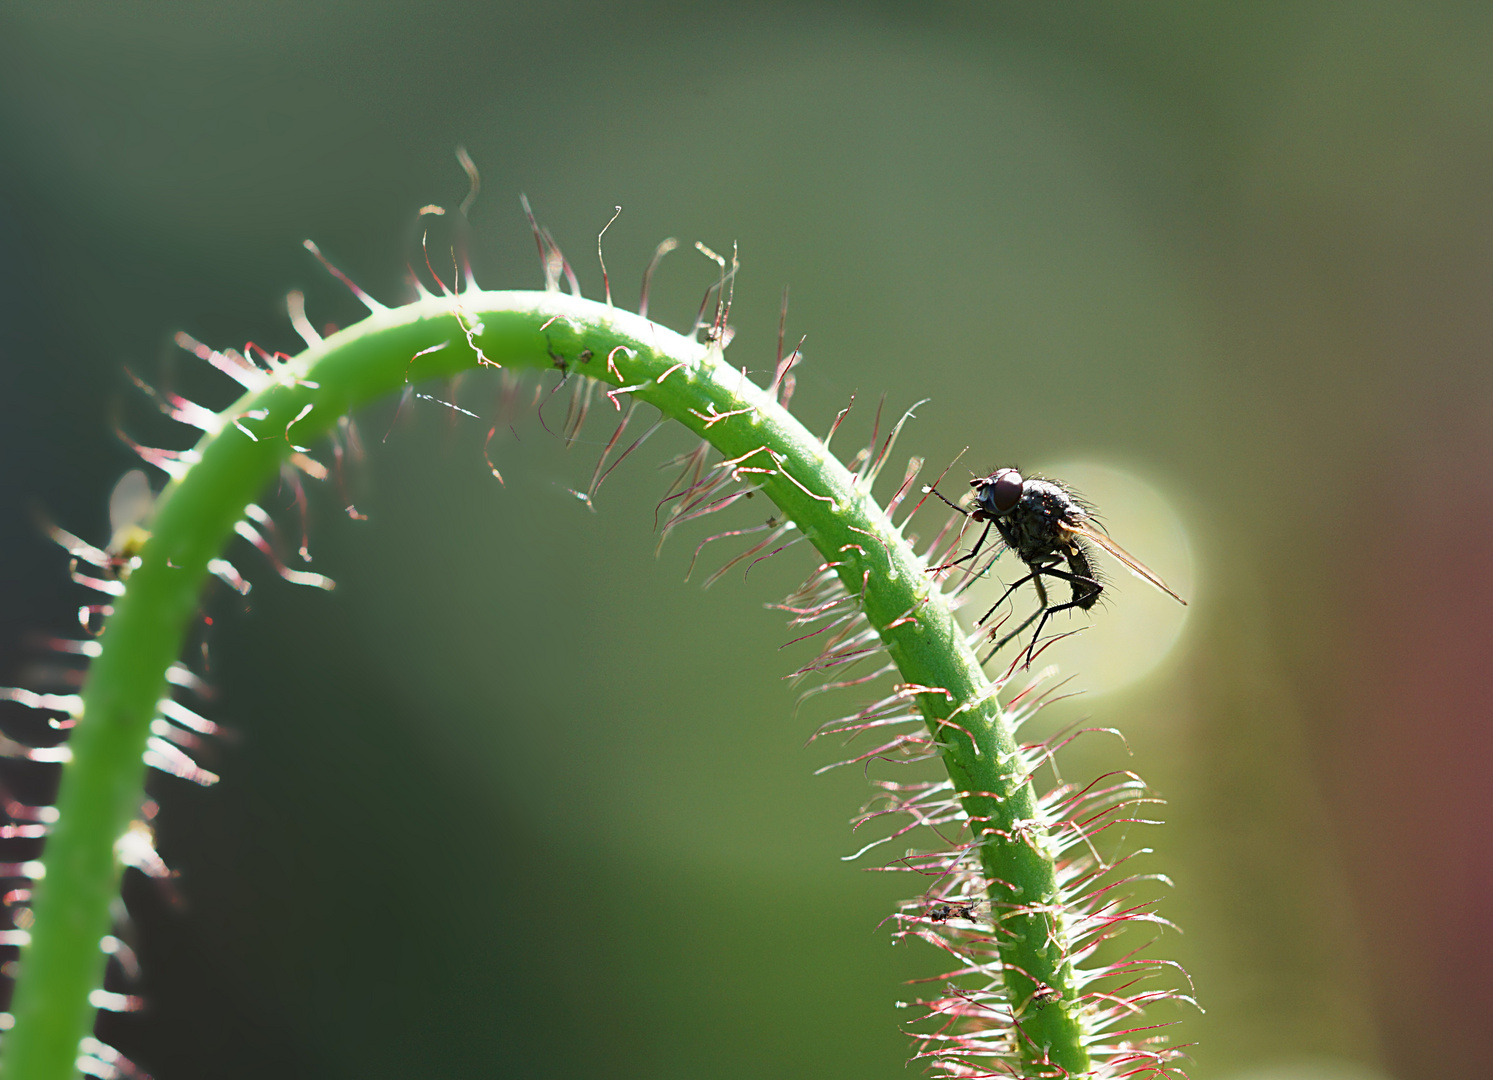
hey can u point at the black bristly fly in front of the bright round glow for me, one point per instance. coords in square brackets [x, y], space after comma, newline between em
[1046, 527]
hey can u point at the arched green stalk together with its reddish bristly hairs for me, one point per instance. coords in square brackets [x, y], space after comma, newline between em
[1019, 894]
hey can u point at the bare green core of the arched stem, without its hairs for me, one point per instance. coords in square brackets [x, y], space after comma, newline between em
[692, 383]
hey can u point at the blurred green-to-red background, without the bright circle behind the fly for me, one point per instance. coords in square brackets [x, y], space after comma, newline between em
[516, 801]
